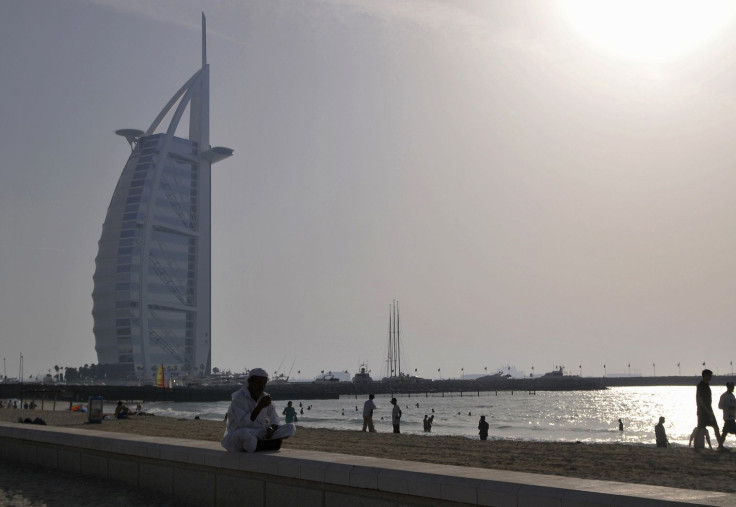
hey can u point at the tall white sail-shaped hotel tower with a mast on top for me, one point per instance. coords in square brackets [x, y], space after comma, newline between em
[152, 282]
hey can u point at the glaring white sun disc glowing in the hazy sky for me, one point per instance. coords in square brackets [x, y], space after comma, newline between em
[648, 30]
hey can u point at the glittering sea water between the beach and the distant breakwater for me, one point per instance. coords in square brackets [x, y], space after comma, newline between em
[559, 416]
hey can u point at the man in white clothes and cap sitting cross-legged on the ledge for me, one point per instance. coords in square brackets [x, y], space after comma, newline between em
[252, 417]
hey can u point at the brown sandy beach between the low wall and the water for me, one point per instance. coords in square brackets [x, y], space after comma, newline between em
[644, 464]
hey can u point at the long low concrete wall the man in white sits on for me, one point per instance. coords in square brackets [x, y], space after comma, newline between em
[202, 473]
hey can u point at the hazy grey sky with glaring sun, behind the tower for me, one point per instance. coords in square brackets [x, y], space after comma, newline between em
[537, 183]
